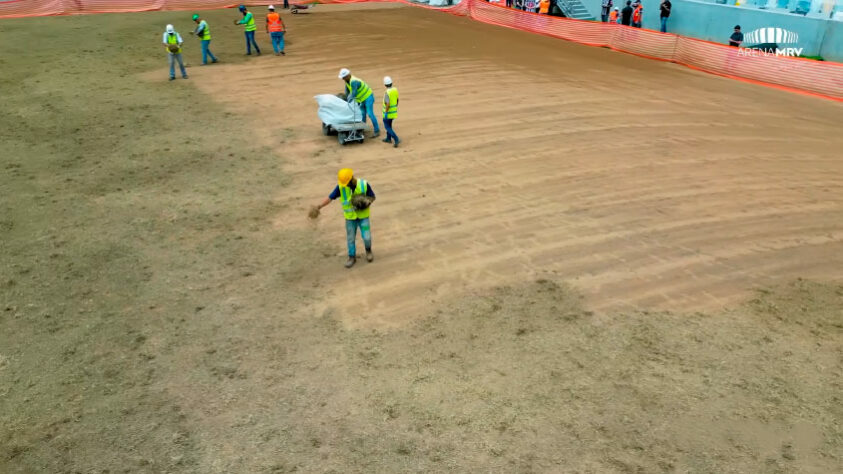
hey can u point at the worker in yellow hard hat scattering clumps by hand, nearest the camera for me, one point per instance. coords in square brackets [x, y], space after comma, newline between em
[355, 217]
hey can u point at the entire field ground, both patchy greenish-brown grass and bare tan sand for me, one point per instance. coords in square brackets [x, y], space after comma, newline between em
[585, 261]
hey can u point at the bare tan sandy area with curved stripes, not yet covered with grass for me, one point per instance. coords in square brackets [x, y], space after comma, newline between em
[642, 184]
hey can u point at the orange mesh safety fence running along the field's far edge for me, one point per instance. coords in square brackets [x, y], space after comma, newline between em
[819, 78]
